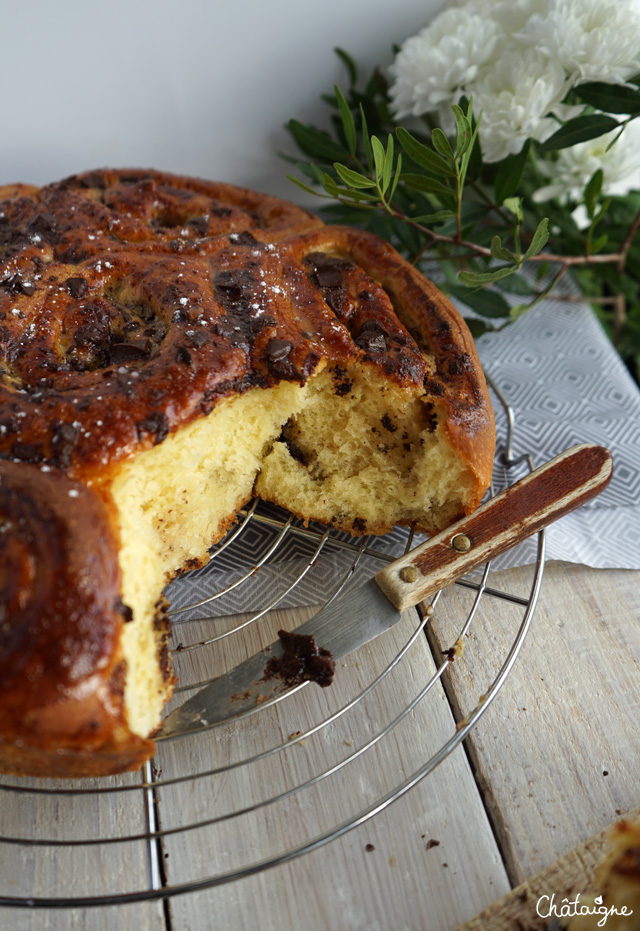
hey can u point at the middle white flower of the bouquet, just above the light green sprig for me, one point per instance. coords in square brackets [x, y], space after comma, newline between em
[516, 96]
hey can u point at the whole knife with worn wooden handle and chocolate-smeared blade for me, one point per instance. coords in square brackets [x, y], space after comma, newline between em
[559, 486]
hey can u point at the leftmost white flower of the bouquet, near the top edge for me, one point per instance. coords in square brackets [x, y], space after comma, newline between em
[433, 68]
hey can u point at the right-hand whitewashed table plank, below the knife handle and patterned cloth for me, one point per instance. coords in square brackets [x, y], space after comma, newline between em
[564, 761]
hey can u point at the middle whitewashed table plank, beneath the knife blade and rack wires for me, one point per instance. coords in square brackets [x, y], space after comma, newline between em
[383, 874]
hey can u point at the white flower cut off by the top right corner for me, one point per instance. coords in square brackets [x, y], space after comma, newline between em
[593, 40]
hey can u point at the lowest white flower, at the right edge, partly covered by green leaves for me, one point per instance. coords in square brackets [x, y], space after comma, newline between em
[574, 166]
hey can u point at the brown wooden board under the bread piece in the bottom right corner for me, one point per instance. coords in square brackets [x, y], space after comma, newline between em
[572, 875]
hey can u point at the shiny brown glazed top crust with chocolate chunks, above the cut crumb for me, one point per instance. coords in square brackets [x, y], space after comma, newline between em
[132, 301]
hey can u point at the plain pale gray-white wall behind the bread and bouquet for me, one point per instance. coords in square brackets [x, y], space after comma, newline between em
[192, 86]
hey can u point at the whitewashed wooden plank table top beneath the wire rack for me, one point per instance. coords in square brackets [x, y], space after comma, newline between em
[554, 760]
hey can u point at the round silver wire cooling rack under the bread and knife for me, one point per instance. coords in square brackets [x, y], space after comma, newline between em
[207, 810]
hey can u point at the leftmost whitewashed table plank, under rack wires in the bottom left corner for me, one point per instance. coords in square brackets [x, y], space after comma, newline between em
[86, 869]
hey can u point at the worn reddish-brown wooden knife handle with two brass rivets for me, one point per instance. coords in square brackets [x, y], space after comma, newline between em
[559, 486]
